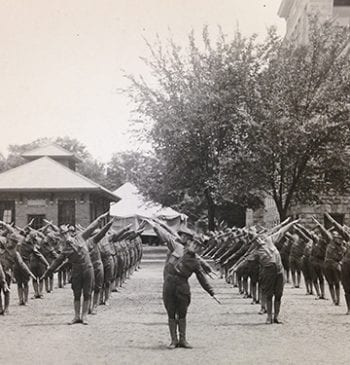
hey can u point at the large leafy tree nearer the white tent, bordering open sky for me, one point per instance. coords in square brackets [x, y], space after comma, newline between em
[193, 105]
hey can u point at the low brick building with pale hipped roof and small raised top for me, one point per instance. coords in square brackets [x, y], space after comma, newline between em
[47, 186]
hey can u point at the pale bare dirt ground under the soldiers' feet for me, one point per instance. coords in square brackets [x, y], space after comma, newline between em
[133, 329]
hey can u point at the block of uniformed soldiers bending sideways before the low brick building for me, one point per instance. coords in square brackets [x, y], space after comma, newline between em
[96, 260]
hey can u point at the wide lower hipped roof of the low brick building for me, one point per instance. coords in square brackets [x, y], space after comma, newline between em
[46, 174]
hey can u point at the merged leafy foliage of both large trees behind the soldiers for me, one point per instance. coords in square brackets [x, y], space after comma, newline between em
[234, 120]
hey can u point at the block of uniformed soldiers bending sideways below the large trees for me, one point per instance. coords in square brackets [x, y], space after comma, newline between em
[319, 254]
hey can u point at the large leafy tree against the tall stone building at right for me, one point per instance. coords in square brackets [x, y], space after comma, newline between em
[297, 128]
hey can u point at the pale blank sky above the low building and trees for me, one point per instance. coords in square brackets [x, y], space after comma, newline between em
[62, 62]
